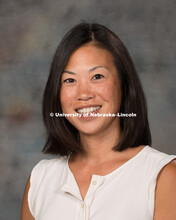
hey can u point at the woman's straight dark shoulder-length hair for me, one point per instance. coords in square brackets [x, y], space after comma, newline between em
[62, 137]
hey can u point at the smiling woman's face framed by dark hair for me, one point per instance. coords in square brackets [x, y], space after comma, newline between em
[90, 84]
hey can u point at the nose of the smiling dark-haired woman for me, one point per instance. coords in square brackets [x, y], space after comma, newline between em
[85, 92]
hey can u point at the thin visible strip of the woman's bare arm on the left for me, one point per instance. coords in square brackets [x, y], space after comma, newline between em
[25, 212]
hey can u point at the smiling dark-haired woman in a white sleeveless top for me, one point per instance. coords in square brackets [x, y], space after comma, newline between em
[106, 169]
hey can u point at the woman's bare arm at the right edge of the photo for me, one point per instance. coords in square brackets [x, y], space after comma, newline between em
[165, 194]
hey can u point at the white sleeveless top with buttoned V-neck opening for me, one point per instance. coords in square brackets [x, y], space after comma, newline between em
[126, 193]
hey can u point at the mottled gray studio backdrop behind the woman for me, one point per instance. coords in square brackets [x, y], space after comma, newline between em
[30, 31]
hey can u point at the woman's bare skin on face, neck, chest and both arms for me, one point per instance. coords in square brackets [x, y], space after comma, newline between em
[91, 78]
